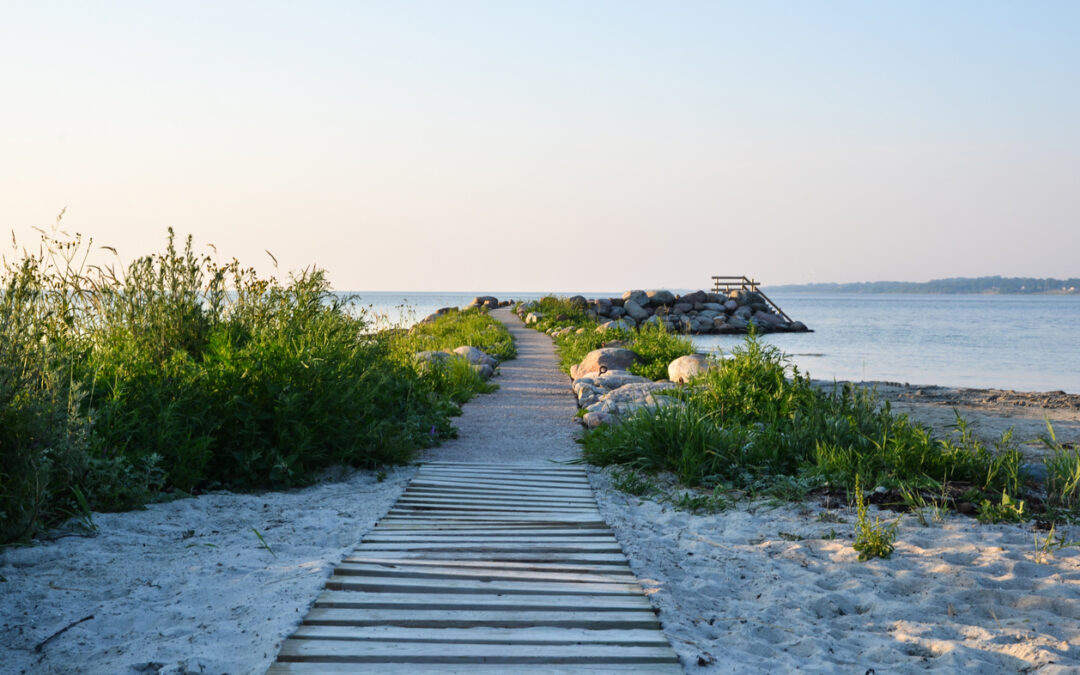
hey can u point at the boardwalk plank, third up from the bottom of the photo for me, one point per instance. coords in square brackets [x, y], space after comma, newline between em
[536, 636]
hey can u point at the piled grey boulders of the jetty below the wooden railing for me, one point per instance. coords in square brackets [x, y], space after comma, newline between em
[700, 313]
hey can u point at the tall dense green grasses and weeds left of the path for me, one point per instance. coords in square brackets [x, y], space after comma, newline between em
[180, 374]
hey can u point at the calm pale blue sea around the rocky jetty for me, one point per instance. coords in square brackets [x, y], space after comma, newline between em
[1024, 343]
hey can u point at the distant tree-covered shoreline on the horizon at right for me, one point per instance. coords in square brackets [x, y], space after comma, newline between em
[958, 285]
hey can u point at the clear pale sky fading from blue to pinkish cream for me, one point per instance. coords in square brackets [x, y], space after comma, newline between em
[555, 146]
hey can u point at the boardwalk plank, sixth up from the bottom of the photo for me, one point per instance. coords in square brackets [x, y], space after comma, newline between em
[390, 585]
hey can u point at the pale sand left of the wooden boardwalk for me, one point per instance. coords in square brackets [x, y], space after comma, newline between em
[184, 587]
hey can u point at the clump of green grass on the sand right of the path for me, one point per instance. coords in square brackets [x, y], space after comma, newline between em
[755, 420]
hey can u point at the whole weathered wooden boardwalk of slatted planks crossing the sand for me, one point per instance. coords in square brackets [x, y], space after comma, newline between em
[506, 570]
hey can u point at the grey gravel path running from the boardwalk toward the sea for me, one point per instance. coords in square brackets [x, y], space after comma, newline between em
[531, 418]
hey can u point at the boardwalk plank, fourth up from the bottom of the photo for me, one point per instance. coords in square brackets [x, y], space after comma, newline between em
[495, 619]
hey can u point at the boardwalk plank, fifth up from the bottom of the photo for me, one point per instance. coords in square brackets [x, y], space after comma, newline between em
[522, 603]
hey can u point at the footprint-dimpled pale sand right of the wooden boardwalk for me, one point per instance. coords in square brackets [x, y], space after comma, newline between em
[956, 597]
